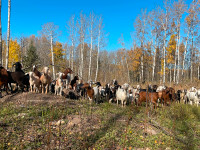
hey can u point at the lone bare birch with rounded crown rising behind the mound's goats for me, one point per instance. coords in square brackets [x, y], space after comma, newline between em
[50, 31]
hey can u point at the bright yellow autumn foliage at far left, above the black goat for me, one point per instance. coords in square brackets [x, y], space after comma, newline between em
[14, 53]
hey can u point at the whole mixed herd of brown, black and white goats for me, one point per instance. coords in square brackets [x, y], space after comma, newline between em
[36, 81]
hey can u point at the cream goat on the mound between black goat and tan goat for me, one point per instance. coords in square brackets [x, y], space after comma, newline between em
[34, 82]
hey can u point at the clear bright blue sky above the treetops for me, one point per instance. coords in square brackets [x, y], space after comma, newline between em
[27, 16]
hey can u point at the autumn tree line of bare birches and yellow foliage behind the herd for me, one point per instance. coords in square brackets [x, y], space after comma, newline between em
[165, 47]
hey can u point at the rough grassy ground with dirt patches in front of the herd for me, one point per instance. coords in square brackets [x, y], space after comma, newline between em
[36, 121]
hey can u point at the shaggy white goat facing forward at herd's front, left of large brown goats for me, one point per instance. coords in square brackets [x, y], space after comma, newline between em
[121, 95]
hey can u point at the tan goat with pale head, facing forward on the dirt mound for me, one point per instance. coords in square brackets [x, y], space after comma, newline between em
[45, 80]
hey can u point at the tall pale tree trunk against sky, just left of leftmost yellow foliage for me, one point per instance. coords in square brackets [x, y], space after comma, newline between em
[8, 35]
